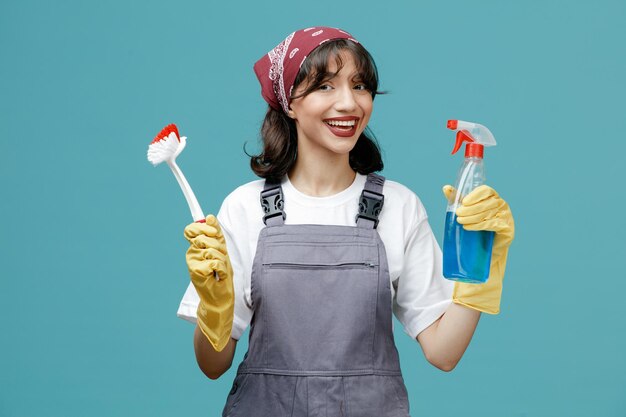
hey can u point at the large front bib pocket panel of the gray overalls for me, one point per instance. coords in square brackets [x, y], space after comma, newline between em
[304, 327]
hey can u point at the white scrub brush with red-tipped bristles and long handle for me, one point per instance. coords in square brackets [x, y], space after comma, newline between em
[165, 147]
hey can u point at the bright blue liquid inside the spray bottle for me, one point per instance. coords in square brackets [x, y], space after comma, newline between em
[466, 254]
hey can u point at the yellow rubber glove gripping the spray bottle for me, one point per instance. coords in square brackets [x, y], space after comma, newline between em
[483, 209]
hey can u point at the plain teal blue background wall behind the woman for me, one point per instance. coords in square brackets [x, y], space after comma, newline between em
[92, 253]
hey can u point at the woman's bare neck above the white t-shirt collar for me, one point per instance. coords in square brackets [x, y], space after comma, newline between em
[319, 177]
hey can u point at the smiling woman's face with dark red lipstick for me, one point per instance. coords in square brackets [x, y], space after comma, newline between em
[331, 118]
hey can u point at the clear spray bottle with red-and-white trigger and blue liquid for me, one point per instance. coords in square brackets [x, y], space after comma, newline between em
[467, 254]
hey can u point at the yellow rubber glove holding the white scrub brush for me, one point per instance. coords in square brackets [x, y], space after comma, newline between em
[207, 256]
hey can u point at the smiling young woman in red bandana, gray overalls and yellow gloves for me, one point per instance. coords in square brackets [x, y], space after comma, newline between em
[316, 256]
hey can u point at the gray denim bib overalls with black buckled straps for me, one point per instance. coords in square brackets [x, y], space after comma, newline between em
[321, 342]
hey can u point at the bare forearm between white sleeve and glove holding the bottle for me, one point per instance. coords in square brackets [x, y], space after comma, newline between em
[445, 341]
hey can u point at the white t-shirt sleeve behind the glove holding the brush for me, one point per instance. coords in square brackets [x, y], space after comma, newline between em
[234, 245]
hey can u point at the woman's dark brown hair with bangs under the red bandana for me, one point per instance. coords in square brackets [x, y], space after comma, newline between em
[279, 134]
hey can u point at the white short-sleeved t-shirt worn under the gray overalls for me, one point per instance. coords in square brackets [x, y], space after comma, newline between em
[420, 294]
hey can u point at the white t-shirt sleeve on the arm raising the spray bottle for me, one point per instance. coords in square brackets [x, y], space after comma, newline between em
[422, 294]
